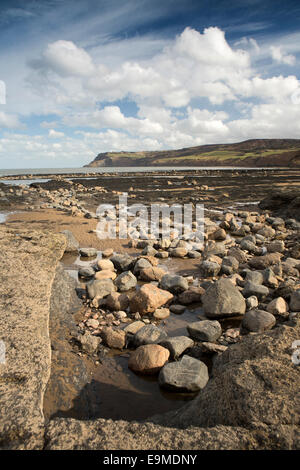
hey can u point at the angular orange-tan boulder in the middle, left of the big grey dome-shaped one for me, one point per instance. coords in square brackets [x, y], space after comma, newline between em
[149, 298]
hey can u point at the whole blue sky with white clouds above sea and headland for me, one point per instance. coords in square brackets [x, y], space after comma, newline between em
[80, 78]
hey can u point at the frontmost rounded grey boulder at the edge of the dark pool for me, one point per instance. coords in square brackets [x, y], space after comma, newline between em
[187, 375]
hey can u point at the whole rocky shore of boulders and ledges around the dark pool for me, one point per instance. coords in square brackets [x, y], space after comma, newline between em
[238, 351]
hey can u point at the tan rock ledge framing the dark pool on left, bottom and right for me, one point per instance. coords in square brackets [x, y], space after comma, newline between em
[250, 402]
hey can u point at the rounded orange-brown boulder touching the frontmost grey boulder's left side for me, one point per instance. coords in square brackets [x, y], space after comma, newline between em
[148, 359]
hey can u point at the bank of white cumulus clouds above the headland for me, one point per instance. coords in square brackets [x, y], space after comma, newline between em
[197, 89]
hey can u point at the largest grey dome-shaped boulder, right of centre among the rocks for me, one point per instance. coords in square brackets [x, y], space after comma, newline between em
[223, 299]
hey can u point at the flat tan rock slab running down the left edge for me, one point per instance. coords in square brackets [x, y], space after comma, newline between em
[28, 261]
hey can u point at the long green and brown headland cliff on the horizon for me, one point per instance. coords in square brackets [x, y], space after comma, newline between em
[250, 153]
